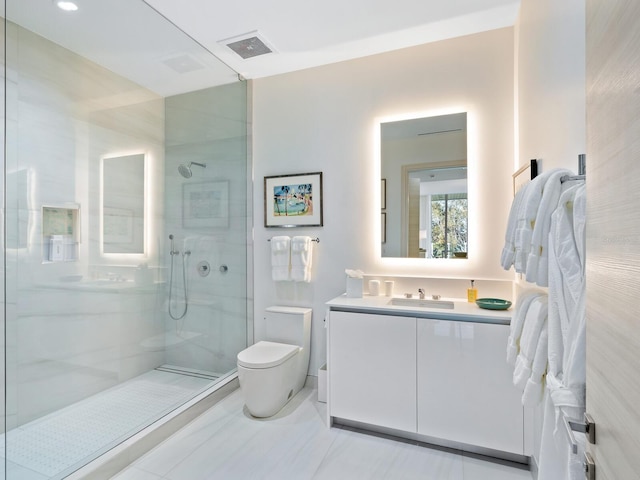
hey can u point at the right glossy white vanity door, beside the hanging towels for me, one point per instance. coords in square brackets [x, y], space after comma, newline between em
[465, 389]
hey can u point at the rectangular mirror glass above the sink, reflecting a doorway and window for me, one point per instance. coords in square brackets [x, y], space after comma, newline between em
[424, 165]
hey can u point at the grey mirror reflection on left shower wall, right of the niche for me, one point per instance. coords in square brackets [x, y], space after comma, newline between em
[123, 204]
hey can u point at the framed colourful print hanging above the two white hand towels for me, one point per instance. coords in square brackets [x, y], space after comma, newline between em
[293, 200]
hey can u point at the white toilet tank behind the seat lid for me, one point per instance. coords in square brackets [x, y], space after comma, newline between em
[290, 325]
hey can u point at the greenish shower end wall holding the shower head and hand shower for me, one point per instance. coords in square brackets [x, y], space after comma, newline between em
[208, 127]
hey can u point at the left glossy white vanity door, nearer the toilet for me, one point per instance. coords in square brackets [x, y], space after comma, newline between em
[372, 369]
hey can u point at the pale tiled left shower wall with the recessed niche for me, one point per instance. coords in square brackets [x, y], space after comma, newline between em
[67, 340]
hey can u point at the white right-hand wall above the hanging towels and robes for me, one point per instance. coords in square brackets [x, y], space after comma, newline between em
[550, 73]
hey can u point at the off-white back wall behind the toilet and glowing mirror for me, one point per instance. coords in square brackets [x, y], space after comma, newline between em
[327, 118]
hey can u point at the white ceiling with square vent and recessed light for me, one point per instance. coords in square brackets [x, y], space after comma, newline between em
[127, 37]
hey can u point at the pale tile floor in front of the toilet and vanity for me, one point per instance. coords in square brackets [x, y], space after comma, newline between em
[227, 443]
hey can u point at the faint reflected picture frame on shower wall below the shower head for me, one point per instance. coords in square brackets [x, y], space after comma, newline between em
[205, 204]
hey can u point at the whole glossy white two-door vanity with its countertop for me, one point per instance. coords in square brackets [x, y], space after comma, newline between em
[432, 375]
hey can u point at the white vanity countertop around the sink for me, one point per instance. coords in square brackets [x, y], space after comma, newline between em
[462, 310]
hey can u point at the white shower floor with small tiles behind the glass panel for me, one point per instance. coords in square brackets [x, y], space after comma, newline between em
[56, 445]
